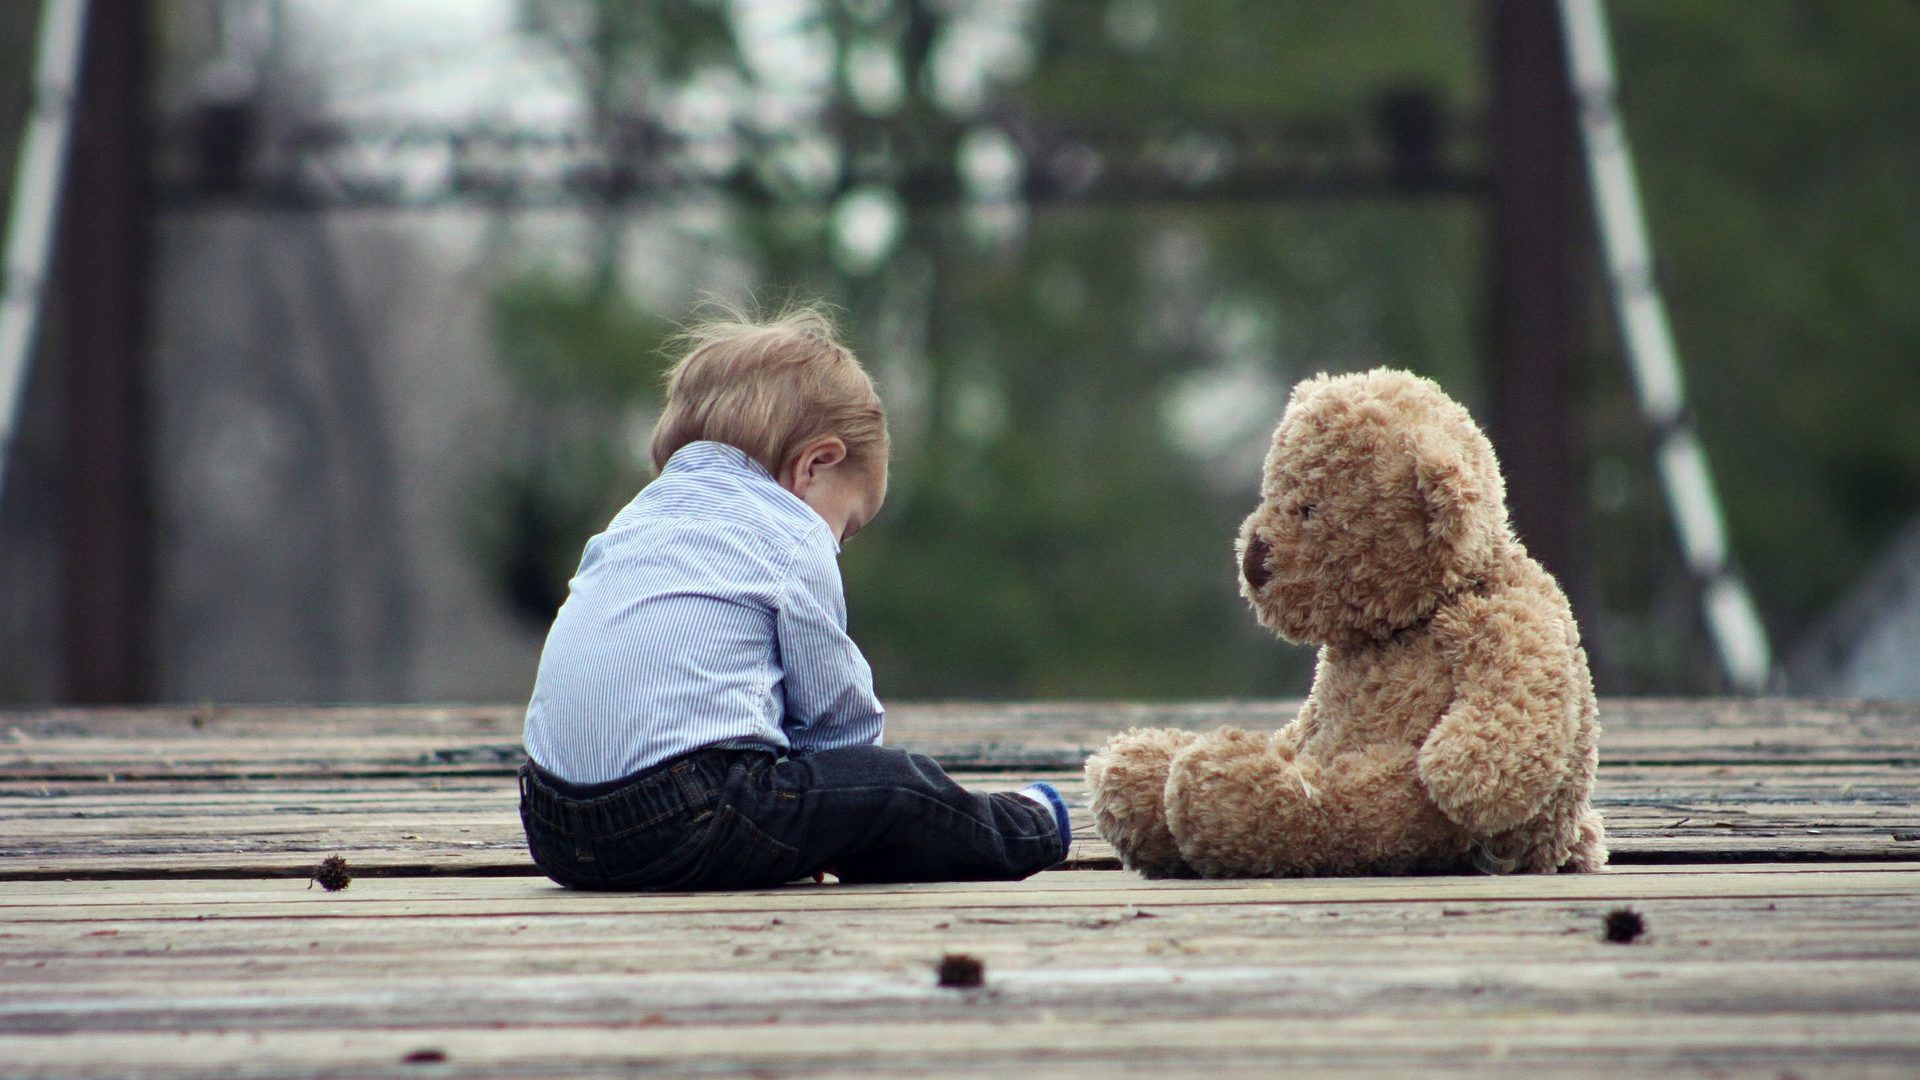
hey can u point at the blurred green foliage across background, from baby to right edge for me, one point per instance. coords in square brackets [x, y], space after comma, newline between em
[1059, 529]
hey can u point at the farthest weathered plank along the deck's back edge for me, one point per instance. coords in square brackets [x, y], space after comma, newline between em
[181, 743]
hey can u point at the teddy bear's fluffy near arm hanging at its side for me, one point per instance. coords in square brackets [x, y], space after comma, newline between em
[1506, 741]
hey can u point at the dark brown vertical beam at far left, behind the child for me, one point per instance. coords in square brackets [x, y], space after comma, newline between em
[101, 345]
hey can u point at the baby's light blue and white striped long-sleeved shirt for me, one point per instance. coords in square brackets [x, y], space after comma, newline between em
[708, 614]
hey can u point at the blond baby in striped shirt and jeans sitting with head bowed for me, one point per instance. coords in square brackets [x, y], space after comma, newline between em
[702, 718]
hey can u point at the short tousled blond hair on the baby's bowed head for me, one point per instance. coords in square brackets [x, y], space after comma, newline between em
[771, 389]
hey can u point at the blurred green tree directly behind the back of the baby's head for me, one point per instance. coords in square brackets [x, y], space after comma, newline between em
[579, 351]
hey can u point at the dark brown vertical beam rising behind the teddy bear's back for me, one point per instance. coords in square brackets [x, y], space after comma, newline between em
[1537, 299]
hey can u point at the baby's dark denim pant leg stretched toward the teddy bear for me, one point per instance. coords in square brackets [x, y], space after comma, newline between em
[873, 814]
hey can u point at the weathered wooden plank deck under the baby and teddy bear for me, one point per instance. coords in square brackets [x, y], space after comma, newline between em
[156, 920]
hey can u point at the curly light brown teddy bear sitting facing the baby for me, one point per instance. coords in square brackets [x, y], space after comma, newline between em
[1452, 724]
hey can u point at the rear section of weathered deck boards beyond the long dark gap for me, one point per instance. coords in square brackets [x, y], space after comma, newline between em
[249, 793]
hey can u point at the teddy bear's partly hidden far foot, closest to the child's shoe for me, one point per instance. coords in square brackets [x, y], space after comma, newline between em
[1128, 781]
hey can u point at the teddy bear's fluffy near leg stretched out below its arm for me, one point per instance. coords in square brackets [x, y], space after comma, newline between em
[1249, 806]
